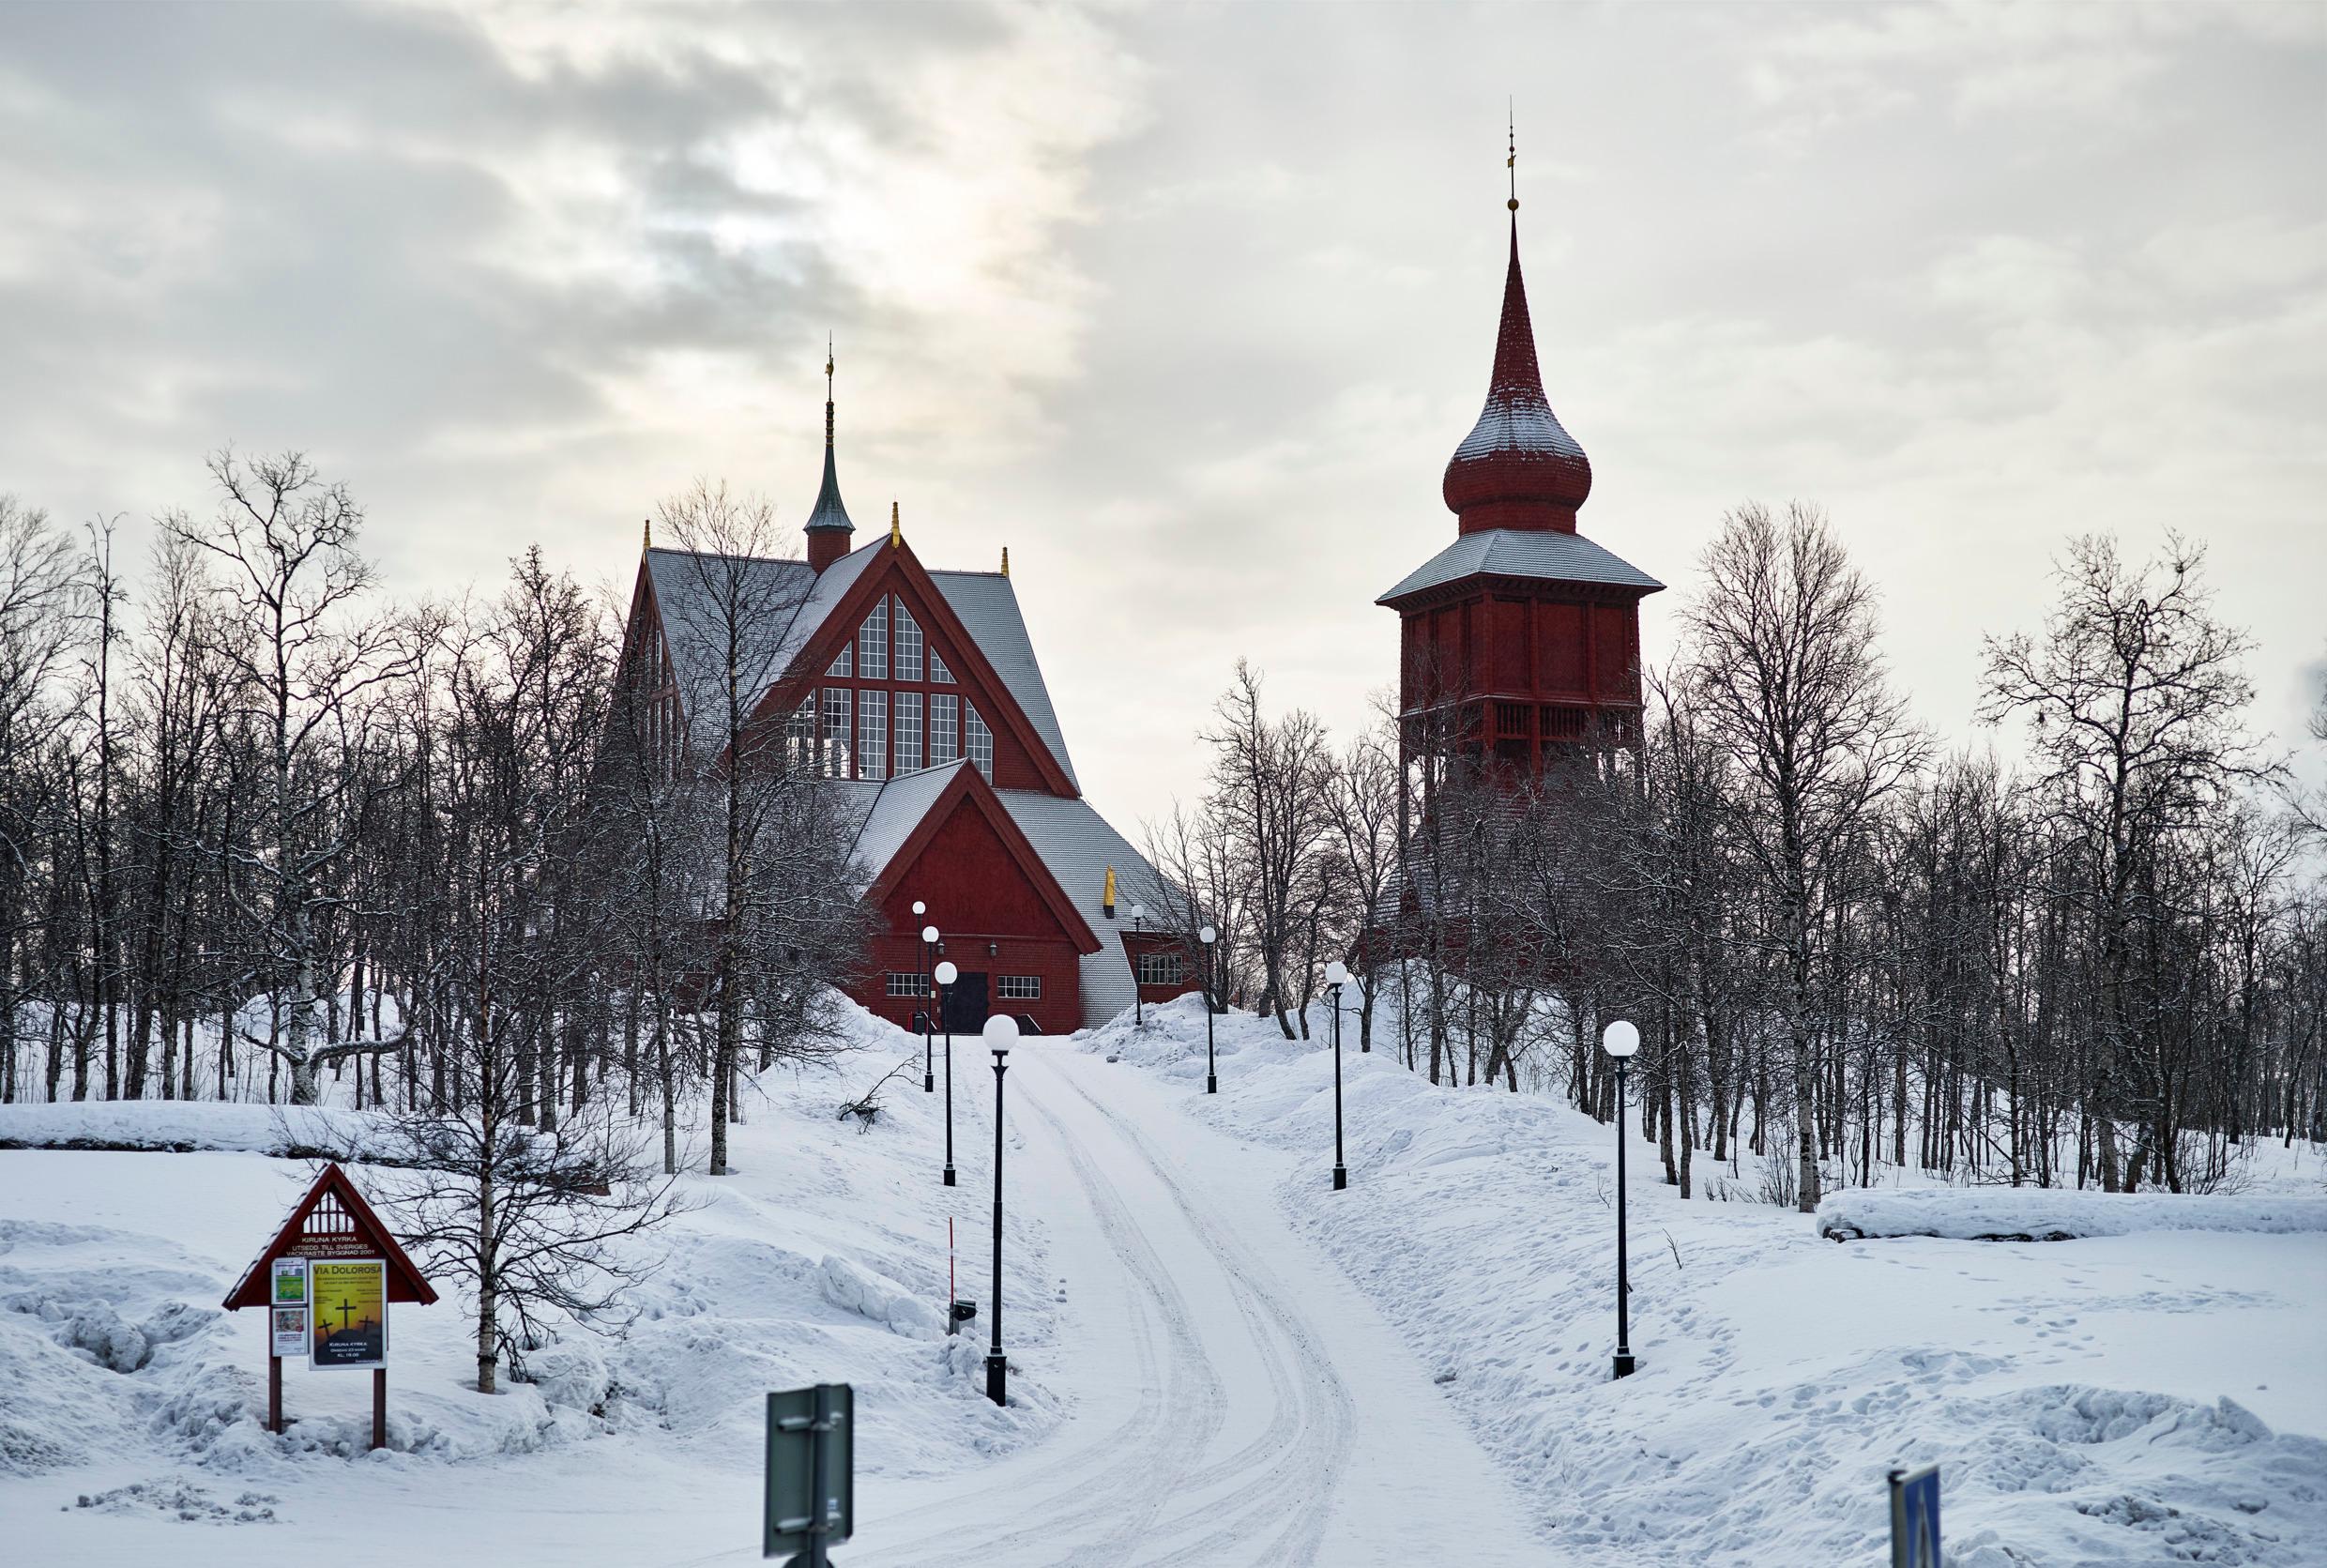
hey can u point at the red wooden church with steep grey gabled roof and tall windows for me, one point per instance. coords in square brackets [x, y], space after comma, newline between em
[923, 704]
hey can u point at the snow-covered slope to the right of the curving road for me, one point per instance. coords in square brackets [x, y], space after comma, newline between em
[2126, 1399]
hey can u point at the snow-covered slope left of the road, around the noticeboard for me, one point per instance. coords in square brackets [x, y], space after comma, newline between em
[127, 1397]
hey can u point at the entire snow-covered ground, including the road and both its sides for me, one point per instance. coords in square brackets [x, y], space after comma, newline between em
[1216, 1357]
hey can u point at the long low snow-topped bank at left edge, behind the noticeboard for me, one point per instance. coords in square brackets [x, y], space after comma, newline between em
[183, 1127]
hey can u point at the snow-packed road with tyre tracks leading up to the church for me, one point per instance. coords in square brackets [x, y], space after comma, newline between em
[1237, 1402]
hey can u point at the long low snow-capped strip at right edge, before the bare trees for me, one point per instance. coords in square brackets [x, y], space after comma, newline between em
[2056, 1216]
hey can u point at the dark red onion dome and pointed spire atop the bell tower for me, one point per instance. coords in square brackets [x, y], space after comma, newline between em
[1518, 469]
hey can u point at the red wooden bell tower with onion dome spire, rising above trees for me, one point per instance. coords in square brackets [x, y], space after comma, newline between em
[1521, 639]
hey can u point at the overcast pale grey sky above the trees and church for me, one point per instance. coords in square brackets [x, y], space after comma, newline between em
[1190, 306]
